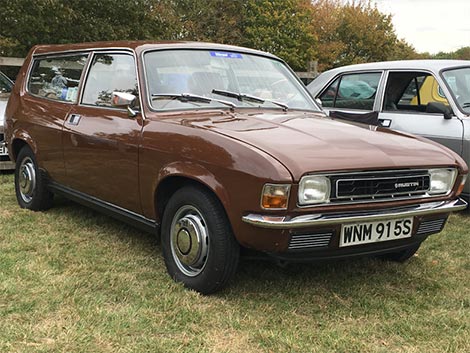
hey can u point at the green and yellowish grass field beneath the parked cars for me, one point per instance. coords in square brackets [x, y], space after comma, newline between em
[72, 280]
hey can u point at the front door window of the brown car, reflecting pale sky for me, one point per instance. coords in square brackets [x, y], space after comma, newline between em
[109, 73]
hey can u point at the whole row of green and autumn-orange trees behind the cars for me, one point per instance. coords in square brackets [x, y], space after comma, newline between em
[333, 32]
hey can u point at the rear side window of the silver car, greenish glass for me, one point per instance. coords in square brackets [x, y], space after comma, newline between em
[352, 91]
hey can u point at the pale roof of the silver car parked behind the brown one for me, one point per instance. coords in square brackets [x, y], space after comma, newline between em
[430, 65]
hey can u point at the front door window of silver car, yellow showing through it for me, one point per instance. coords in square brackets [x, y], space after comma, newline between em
[412, 91]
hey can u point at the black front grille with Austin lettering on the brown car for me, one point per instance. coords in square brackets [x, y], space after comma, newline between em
[379, 186]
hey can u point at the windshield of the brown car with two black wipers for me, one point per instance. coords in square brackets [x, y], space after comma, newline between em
[175, 77]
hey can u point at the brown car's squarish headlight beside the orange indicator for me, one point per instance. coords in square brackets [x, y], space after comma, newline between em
[314, 189]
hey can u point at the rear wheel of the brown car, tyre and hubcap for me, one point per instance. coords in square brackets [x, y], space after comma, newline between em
[31, 183]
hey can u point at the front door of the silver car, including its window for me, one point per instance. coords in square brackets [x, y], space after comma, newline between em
[409, 104]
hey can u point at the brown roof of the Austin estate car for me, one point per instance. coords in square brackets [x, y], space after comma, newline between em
[140, 46]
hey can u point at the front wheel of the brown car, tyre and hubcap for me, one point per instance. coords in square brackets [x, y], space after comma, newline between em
[197, 241]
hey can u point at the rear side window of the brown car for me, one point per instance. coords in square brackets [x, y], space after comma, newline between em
[57, 78]
